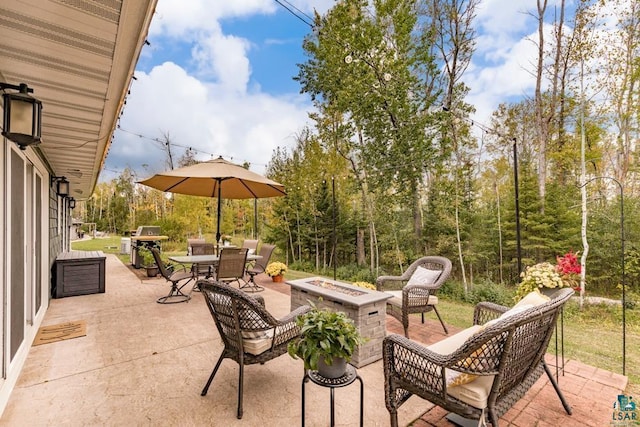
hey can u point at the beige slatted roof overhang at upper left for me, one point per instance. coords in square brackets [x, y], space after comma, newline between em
[78, 57]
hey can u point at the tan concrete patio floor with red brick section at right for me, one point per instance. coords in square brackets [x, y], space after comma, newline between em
[143, 363]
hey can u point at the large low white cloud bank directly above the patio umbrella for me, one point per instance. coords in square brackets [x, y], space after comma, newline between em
[206, 117]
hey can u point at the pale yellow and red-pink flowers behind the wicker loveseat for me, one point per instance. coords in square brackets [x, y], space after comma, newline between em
[546, 275]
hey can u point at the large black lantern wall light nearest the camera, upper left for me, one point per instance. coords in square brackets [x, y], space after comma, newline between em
[22, 116]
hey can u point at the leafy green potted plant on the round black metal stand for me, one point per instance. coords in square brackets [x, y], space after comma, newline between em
[327, 341]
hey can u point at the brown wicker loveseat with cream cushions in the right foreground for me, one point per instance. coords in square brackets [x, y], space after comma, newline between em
[497, 362]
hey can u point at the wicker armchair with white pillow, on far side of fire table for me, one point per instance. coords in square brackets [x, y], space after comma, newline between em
[418, 294]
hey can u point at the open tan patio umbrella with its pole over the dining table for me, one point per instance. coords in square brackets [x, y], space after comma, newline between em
[216, 178]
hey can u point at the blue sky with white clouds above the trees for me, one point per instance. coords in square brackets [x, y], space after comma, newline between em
[218, 77]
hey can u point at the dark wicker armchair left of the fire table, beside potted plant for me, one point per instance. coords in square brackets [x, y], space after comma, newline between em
[249, 332]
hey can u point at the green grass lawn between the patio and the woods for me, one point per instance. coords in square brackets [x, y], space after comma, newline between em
[592, 335]
